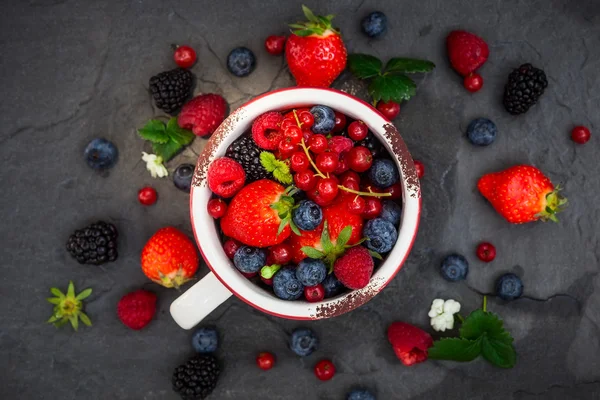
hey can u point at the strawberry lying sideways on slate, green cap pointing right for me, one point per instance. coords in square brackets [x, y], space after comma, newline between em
[522, 194]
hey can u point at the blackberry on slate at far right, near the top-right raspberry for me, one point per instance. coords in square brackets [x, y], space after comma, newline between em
[525, 86]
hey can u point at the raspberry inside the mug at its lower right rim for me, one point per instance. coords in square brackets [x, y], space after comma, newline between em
[354, 268]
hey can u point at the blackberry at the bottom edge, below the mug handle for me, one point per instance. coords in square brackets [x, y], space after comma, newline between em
[197, 378]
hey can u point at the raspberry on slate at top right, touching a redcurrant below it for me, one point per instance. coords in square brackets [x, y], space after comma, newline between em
[466, 51]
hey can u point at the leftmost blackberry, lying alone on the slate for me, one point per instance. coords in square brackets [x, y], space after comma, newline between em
[95, 244]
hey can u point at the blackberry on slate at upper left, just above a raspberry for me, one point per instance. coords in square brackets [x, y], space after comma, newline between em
[171, 88]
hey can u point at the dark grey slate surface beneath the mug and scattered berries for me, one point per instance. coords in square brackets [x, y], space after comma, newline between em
[74, 70]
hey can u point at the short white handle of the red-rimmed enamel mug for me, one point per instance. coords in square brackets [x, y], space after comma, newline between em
[199, 301]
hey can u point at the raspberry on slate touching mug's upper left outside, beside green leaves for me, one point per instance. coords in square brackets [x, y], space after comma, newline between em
[203, 114]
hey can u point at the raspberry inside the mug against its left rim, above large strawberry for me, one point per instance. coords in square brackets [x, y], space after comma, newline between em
[225, 177]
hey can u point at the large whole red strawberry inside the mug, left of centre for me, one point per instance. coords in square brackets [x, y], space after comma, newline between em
[260, 215]
